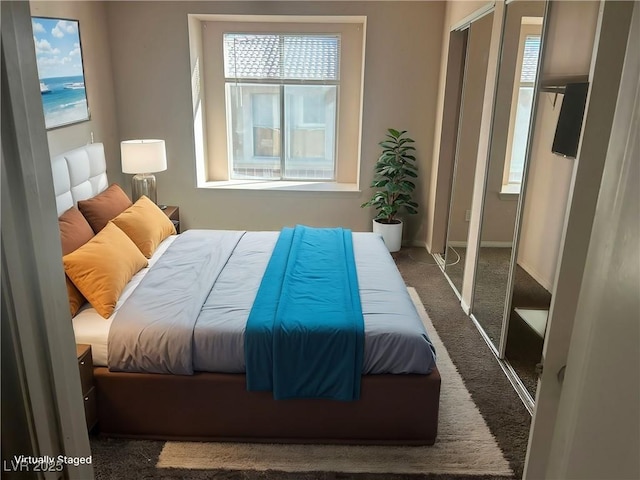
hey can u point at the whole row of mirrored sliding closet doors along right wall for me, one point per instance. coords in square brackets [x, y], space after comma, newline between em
[507, 180]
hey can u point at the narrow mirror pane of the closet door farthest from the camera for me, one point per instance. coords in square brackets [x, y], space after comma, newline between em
[475, 72]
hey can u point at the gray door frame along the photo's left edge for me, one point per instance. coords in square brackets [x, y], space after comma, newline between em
[34, 303]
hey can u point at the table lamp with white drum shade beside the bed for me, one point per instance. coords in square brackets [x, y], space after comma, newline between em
[143, 158]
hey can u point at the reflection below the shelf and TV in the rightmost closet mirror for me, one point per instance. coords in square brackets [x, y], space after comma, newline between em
[543, 217]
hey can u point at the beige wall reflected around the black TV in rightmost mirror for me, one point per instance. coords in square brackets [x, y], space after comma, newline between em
[549, 180]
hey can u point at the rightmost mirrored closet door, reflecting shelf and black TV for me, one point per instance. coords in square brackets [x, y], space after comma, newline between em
[563, 87]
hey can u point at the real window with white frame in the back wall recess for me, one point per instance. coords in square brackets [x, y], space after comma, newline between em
[281, 95]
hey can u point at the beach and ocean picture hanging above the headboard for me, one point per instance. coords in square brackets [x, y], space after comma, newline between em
[60, 70]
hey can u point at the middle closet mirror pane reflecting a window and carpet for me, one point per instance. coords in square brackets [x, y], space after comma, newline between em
[508, 146]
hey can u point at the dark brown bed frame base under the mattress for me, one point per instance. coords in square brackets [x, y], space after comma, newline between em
[393, 409]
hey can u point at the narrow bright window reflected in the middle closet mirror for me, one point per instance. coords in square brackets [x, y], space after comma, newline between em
[522, 103]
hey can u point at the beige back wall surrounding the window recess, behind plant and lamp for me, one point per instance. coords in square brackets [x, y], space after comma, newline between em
[150, 59]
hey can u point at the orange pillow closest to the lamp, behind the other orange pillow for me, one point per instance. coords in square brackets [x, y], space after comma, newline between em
[146, 225]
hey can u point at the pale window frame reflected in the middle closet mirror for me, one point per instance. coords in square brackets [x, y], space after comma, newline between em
[526, 30]
